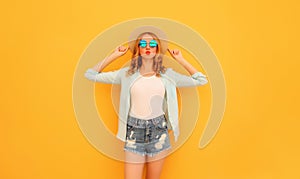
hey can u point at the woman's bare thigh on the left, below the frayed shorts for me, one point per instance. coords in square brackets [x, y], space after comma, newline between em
[134, 165]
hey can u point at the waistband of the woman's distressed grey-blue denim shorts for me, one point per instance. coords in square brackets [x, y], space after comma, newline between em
[143, 123]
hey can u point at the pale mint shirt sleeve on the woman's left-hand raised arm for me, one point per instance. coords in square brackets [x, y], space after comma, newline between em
[111, 77]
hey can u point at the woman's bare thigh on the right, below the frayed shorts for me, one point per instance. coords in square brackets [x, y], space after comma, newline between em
[155, 165]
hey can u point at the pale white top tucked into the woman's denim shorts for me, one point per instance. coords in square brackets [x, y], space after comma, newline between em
[147, 94]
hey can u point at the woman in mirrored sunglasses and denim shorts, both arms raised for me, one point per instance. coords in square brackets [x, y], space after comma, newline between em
[148, 102]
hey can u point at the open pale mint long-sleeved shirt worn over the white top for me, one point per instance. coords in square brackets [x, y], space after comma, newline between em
[170, 79]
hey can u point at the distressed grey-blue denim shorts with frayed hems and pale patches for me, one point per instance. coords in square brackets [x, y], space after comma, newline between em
[147, 136]
